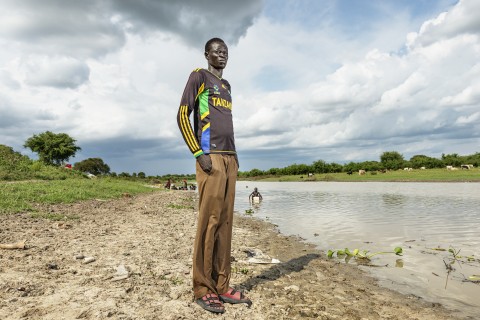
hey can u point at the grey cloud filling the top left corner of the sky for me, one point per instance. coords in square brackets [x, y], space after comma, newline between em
[80, 29]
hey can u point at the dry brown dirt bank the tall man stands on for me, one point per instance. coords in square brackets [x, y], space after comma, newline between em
[142, 249]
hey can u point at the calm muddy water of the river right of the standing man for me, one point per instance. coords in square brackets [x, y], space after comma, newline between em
[377, 216]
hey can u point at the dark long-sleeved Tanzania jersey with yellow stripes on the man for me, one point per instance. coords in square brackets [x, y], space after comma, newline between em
[209, 98]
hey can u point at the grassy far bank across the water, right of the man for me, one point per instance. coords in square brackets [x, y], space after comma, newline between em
[429, 175]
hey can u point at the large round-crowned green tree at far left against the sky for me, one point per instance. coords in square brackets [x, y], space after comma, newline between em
[52, 148]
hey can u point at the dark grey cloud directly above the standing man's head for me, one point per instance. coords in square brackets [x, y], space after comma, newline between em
[193, 21]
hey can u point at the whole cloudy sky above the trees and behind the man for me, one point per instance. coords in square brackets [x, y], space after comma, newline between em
[331, 80]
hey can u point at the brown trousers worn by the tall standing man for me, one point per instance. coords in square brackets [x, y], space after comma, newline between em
[212, 248]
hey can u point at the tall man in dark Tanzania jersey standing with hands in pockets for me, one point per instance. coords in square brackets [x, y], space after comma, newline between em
[212, 142]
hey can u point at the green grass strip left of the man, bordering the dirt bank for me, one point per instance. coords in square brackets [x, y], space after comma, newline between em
[23, 195]
